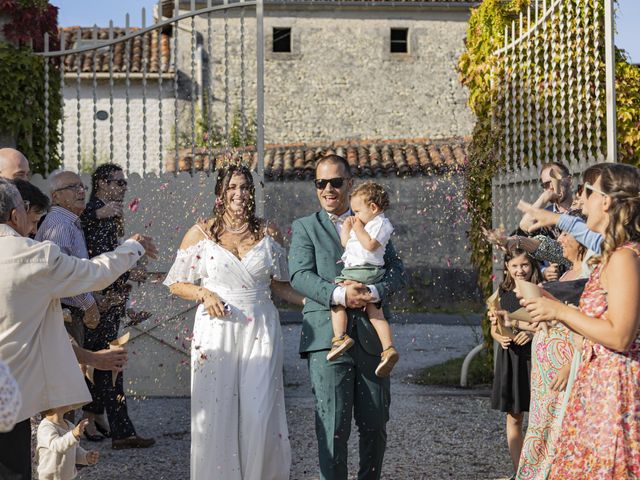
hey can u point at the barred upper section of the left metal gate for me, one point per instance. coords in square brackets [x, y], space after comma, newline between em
[162, 95]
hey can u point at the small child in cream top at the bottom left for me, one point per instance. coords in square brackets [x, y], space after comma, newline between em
[58, 450]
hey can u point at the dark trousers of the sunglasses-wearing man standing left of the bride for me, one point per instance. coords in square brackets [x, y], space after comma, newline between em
[105, 395]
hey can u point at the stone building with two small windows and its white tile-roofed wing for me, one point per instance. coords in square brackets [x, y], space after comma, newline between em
[335, 70]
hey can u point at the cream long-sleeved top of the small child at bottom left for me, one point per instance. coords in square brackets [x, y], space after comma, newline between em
[58, 451]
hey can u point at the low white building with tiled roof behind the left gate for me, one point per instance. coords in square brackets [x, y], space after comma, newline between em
[102, 119]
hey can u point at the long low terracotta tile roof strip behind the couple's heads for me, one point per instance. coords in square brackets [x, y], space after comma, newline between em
[376, 158]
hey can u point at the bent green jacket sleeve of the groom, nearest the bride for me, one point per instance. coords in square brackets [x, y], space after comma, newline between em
[302, 268]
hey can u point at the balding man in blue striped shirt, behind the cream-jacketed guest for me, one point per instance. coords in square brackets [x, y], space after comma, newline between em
[62, 227]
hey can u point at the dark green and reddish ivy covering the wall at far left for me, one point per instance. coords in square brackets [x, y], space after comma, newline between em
[22, 76]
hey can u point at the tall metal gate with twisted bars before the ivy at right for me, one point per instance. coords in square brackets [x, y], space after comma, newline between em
[554, 97]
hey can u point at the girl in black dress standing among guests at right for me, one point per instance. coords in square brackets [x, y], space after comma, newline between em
[511, 381]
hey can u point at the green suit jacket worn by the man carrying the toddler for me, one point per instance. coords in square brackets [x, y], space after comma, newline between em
[314, 263]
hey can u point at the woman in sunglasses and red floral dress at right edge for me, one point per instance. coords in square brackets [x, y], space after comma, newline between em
[600, 435]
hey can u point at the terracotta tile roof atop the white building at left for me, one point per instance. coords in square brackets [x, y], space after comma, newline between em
[155, 63]
